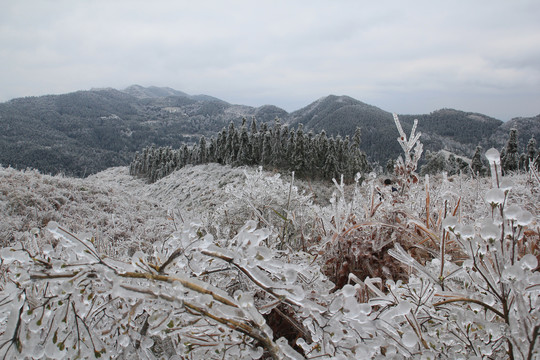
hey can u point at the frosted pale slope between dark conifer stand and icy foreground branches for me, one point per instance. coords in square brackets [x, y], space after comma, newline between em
[119, 210]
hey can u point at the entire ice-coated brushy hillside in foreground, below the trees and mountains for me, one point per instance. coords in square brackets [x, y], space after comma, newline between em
[220, 262]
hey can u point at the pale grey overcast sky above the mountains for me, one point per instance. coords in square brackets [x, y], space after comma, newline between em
[408, 57]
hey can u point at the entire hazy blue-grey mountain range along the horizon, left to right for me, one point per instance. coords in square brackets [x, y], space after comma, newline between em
[85, 132]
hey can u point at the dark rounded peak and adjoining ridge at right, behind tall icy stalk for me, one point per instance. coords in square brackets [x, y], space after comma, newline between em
[453, 130]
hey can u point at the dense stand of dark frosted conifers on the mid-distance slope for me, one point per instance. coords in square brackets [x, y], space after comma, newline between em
[316, 156]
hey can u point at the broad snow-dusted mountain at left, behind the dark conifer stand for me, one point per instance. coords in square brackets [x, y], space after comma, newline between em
[84, 132]
